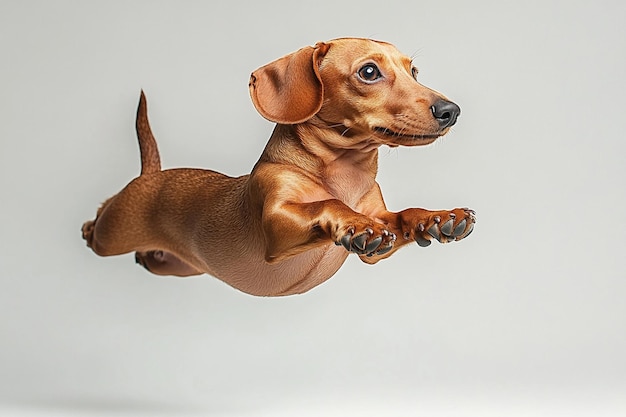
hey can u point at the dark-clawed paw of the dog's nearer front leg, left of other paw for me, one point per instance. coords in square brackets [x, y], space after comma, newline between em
[370, 240]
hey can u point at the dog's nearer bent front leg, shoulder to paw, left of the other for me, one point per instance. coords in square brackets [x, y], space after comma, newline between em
[291, 228]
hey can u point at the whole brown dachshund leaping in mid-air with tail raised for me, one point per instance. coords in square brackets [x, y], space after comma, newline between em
[311, 199]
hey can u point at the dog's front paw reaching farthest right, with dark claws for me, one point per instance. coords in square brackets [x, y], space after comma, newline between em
[445, 226]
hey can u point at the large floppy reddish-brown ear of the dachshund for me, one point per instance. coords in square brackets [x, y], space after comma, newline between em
[289, 90]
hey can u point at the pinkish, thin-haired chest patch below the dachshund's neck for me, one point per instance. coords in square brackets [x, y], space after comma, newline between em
[347, 181]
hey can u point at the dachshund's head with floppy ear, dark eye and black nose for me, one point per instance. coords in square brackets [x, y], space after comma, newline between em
[366, 90]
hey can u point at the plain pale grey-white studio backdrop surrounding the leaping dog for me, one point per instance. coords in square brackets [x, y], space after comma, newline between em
[525, 317]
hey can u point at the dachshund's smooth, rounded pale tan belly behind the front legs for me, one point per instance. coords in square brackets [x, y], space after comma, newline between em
[296, 275]
